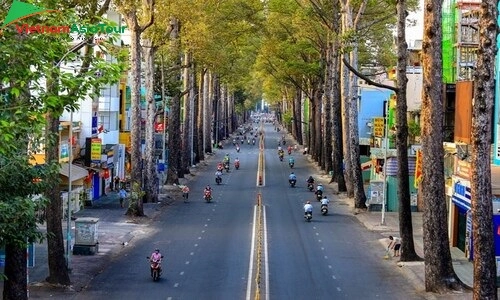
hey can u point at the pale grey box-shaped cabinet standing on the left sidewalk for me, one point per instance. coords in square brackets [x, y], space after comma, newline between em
[86, 236]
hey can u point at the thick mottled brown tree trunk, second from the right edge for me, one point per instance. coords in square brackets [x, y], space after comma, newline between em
[439, 273]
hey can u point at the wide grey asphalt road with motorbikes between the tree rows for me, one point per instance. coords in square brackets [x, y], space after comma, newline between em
[209, 248]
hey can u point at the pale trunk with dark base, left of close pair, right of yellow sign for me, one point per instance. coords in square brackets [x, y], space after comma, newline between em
[135, 207]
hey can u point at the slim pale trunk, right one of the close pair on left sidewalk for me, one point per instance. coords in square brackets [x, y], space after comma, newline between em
[150, 175]
